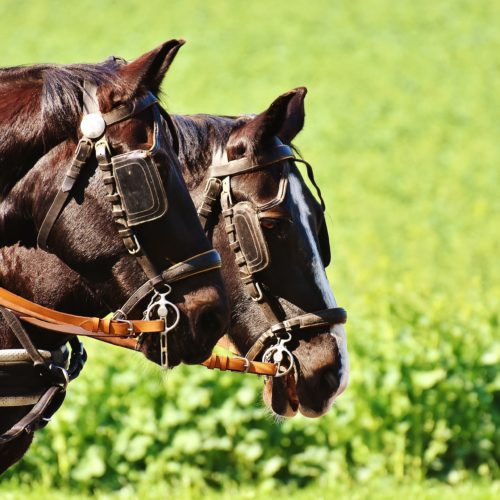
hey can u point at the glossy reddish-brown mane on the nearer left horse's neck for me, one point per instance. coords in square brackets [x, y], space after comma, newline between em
[39, 107]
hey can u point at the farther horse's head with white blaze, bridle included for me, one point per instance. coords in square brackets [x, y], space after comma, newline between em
[272, 235]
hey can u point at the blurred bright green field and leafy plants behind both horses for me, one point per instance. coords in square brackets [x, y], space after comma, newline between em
[402, 127]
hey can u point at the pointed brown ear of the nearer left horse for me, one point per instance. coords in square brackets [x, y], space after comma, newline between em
[147, 71]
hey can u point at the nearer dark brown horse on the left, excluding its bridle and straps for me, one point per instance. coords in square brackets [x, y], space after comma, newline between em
[40, 114]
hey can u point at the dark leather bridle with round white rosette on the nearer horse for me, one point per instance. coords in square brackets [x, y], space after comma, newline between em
[136, 194]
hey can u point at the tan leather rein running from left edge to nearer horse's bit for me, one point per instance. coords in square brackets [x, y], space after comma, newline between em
[73, 324]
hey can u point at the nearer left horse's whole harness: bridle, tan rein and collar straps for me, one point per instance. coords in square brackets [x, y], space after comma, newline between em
[51, 371]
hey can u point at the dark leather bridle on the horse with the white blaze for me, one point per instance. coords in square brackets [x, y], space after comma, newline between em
[247, 241]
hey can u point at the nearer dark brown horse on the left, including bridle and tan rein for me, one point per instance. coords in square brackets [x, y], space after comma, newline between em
[159, 249]
